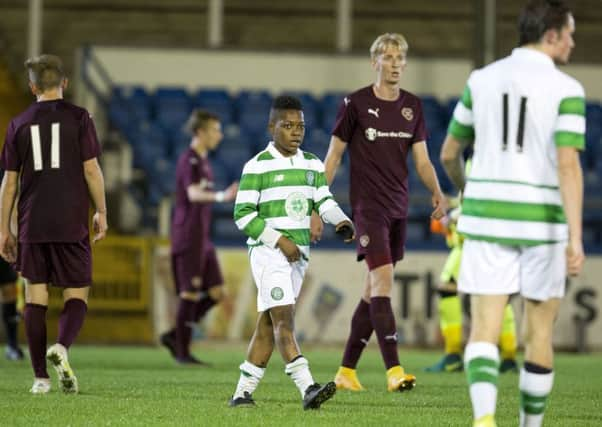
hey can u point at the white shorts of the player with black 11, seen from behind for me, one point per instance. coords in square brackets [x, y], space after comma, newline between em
[536, 272]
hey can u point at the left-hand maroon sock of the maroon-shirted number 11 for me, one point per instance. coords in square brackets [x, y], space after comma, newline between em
[35, 329]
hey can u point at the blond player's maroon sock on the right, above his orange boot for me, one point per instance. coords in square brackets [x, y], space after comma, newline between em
[383, 322]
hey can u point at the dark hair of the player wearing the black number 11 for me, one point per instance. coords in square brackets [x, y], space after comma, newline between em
[539, 16]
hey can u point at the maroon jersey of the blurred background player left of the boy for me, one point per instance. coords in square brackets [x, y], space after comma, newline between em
[190, 226]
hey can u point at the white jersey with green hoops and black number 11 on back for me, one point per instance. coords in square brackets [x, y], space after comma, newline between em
[517, 110]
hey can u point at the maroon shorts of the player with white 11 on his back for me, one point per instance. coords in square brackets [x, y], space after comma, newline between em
[66, 265]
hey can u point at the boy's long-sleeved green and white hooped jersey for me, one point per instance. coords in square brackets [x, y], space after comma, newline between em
[281, 192]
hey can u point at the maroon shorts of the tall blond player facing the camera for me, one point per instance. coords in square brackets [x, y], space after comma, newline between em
[380, 240]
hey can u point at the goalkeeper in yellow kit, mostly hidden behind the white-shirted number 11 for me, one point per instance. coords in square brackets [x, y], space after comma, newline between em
[450, 309]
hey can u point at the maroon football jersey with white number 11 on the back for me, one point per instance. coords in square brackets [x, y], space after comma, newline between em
[48, 144]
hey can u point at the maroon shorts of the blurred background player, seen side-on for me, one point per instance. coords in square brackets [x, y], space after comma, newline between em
[193, 273]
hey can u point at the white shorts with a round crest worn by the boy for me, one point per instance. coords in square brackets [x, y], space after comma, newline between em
[278, 281]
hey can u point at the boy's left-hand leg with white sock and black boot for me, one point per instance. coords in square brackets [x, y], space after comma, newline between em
[253, 368]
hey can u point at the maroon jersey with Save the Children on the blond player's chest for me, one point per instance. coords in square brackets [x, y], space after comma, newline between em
[379, 134]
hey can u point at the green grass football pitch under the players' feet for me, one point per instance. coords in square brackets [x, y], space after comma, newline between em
[142, 386]
